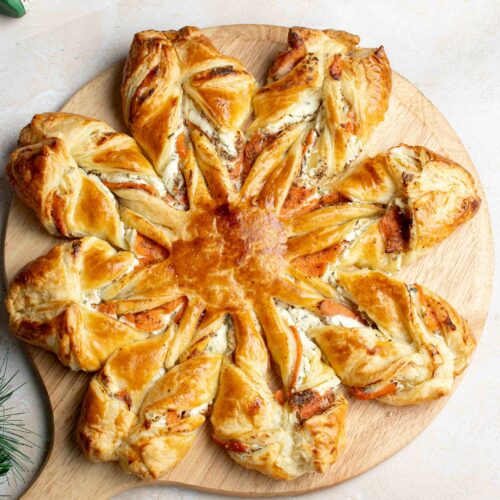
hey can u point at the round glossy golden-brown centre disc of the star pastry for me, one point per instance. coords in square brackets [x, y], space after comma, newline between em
[232, 254]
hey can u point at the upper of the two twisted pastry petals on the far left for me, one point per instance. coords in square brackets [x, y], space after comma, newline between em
[74, 202]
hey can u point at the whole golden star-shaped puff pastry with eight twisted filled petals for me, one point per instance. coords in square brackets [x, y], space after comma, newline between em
[211, 254]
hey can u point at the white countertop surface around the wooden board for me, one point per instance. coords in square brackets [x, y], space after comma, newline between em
[449, 49]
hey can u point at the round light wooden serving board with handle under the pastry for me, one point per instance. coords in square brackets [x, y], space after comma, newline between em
[460, 270]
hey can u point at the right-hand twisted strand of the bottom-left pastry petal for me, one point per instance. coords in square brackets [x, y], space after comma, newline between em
[177, 404]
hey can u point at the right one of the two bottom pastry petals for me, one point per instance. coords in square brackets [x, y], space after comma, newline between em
[297, 429]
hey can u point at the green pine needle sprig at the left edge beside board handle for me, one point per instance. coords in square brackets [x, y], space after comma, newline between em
[14, 435]
